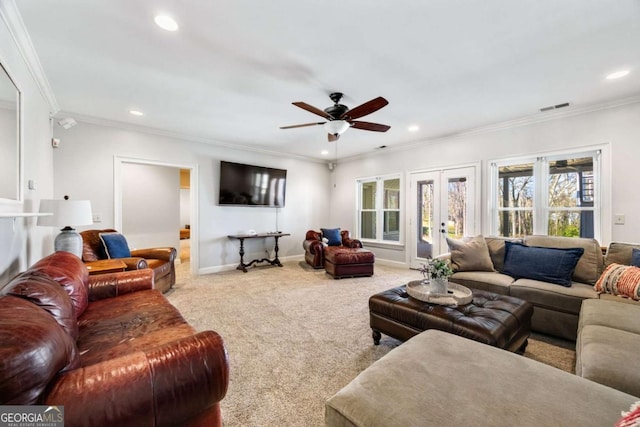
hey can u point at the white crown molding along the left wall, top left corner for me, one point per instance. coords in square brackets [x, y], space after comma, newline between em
[15, 25]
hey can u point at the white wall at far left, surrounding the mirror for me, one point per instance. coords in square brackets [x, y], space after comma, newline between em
[21, 241]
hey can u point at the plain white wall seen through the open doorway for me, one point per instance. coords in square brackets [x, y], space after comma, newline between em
[150, 205]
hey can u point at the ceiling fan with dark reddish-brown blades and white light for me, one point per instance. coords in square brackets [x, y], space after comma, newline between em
[340, 117]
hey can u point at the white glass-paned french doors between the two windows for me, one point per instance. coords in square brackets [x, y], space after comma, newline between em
[443, 204]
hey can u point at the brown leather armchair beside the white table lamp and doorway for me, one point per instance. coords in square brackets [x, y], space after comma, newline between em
[160, 260]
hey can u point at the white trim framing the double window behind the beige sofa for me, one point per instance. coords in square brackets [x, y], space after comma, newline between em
[602, 180]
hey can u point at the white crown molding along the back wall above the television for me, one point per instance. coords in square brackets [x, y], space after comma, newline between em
[183, 137]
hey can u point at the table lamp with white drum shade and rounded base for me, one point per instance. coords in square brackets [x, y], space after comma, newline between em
[66, 213]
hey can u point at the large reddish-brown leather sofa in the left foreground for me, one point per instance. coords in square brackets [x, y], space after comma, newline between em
[108, 347]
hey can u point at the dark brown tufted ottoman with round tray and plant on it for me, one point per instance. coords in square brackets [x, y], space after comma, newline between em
[497, 320]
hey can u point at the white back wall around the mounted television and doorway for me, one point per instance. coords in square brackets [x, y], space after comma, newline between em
[84, 169]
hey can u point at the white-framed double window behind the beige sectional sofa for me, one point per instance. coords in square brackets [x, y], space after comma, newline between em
[555, 196]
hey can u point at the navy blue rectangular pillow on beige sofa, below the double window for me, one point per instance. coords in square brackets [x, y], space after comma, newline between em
[553, 265]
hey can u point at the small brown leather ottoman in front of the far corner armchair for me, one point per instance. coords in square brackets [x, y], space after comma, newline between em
[340, 261]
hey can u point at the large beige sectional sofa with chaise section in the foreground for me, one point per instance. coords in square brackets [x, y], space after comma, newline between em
[440, 379]
